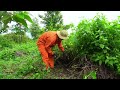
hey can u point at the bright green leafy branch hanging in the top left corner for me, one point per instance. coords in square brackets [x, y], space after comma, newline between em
[20, 17]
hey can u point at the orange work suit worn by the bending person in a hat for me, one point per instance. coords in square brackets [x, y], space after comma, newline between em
[45, 42]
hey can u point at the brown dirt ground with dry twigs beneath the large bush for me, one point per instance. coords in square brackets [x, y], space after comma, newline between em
[77, 71]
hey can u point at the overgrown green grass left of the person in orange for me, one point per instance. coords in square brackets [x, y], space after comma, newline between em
[22, 62]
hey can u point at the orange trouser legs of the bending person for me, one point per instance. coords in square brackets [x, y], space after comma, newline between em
[47, 59]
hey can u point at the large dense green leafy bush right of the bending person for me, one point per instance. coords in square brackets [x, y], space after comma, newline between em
[99, 39]
